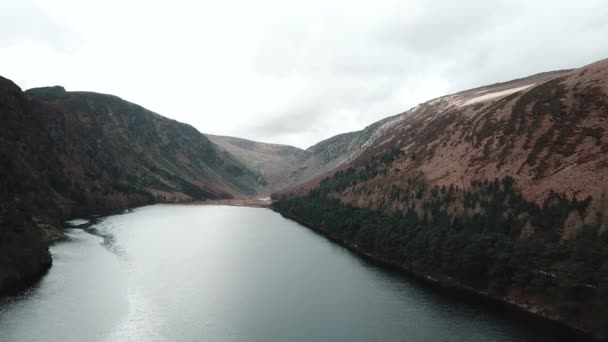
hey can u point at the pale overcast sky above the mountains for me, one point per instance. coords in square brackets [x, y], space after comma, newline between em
[291, 72]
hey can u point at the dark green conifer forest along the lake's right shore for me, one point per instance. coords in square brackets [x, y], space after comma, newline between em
[487, 237]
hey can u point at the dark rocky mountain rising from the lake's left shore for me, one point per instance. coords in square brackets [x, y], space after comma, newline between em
[75, 153]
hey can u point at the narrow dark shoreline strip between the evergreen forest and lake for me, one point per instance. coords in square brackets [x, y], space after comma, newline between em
[451, 286]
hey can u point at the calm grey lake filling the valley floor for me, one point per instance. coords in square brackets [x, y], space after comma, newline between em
[216, 273]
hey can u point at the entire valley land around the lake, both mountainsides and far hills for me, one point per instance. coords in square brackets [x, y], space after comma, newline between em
[500, 189]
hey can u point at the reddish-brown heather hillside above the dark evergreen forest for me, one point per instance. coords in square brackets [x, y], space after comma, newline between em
[548, 131]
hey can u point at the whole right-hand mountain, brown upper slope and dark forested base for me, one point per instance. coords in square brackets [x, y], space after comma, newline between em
[499, 190]
